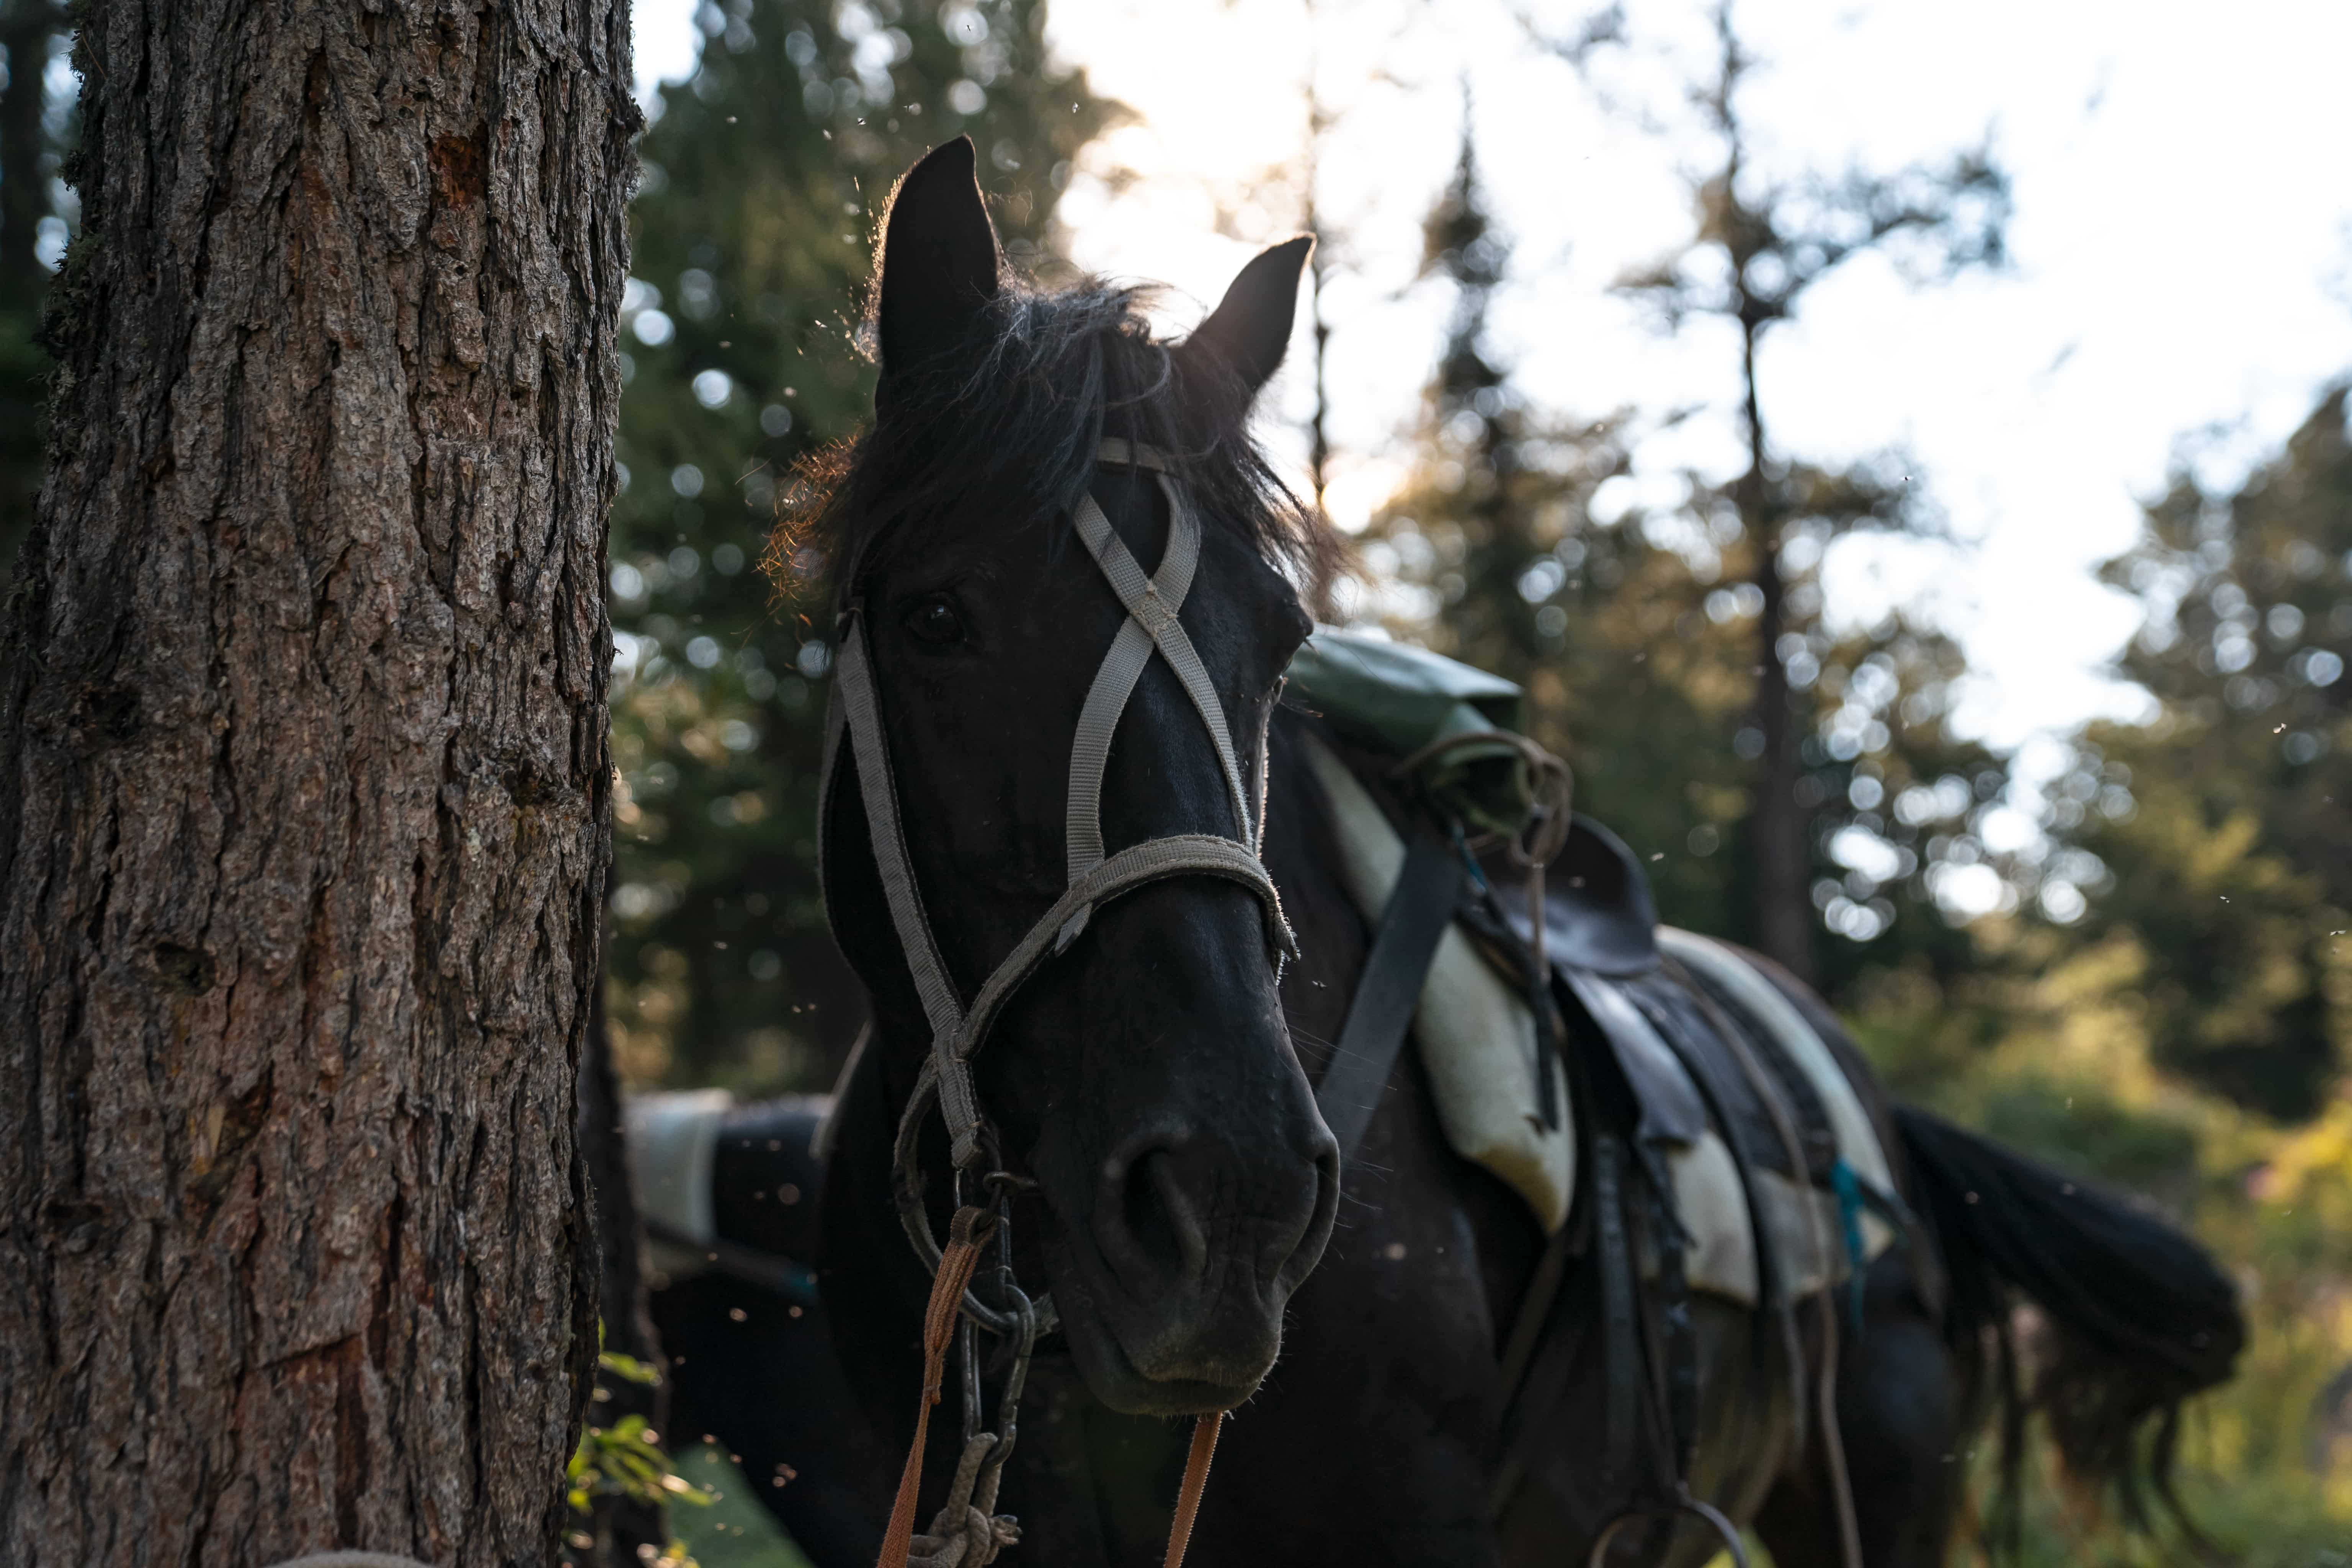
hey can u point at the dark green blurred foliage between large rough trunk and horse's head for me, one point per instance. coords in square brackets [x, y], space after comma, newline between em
[754, 232]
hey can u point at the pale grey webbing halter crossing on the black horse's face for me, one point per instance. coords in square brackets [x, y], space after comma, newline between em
[1095, 880]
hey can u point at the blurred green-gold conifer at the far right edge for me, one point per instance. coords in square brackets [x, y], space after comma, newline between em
[2221, 824]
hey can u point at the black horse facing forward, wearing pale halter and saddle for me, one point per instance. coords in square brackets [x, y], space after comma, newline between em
[1154, 1083]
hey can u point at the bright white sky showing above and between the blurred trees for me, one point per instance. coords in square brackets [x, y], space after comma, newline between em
[2181, 253]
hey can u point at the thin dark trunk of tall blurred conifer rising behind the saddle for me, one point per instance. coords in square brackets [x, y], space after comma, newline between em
[1779, 826]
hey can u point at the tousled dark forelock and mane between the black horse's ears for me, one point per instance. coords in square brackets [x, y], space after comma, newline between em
[1020, 417]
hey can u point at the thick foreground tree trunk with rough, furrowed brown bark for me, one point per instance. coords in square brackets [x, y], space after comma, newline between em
[305, 791]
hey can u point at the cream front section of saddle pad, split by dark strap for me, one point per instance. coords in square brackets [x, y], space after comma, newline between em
[1478, 1040]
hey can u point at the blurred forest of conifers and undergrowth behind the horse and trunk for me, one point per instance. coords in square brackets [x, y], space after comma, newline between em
[2120, 946]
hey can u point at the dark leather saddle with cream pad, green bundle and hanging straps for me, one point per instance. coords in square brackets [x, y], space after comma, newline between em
[1720, 1144]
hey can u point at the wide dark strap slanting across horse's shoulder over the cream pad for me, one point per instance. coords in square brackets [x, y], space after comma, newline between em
[1389, 991]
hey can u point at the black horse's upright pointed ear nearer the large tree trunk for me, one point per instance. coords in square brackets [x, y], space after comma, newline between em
[940, 260]
